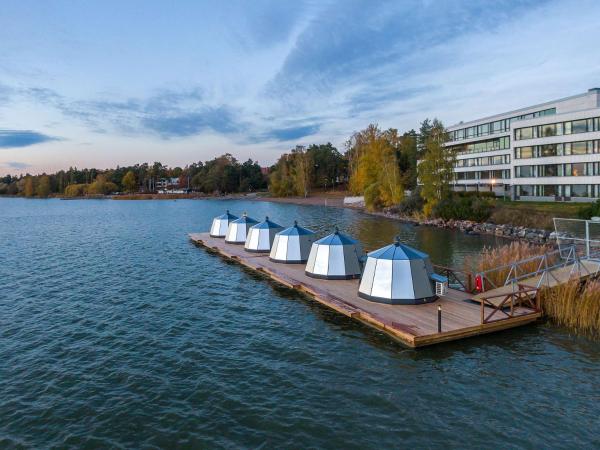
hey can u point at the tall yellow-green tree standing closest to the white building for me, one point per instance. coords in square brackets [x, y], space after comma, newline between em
[436, 169]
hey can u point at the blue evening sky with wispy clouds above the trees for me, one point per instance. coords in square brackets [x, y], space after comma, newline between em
[107, 83]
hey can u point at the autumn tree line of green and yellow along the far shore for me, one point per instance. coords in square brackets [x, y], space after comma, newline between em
[382, 165]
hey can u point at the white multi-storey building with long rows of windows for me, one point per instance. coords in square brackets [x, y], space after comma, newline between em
[544, 152]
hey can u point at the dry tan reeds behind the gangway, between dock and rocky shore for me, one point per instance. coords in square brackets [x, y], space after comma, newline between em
[496, 258]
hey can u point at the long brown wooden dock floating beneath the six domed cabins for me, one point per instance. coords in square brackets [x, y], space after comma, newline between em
[412, 325]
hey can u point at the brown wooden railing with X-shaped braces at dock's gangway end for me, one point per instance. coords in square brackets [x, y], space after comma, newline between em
[524, 296]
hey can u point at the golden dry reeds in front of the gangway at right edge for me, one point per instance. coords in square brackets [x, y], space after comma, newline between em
[574, 305]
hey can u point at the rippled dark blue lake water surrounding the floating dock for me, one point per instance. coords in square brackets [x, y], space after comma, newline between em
[116, 331]
